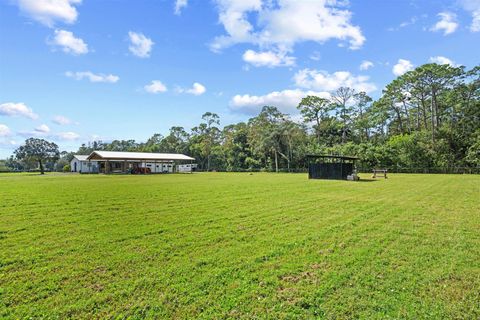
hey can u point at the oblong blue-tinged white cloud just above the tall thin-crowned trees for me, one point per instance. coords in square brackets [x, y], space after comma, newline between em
[324, 81]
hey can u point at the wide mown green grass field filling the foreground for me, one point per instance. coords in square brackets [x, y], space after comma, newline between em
[235, 245]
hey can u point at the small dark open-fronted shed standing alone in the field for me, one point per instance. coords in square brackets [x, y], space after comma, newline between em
[331, 167]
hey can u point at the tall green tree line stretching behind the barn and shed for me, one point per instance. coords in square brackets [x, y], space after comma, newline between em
[426, 118]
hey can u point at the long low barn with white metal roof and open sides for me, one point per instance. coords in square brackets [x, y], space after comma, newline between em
[140, 162]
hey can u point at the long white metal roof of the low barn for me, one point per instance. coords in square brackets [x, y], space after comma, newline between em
[116, 155]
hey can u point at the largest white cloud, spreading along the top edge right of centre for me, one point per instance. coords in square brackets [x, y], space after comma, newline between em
[281, 24]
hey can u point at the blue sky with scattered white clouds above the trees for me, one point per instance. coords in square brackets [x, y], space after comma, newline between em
[76, 70]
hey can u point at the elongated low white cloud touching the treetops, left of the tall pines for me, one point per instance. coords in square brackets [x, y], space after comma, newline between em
[285, 101]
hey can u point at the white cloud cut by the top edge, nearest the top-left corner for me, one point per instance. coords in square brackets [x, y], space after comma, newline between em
[48, 12]
